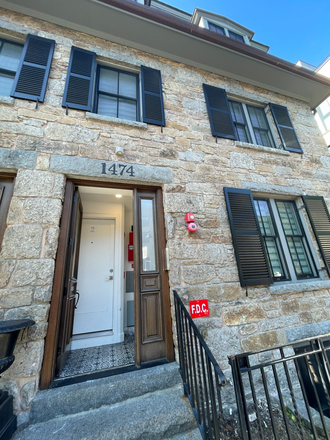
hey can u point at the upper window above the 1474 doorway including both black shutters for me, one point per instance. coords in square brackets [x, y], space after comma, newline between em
[116, 92]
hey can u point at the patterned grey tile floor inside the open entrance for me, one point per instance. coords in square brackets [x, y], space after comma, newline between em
[90, 359]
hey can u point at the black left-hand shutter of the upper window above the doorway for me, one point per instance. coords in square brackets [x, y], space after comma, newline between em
[79, 80]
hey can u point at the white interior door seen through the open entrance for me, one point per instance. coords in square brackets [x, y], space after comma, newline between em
[94, 312]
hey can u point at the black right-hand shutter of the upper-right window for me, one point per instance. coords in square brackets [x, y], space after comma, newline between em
[285, 128]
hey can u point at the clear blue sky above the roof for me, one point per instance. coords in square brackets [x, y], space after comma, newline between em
[293, 29]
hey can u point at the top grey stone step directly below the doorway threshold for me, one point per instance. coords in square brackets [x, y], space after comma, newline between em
[73, 399]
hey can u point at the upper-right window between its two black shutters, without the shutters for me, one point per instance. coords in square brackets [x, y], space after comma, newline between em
[251, 124]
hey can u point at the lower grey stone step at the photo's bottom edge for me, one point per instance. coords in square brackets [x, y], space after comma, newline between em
[164, 414]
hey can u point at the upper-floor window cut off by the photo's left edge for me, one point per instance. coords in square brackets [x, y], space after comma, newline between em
[10, 54]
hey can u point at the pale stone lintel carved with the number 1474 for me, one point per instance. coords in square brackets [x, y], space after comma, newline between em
[109, 171]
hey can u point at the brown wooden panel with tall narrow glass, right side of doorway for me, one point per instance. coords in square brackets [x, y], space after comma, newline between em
[152, 308]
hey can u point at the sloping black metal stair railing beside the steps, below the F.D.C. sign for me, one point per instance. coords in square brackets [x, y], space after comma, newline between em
[201, 375]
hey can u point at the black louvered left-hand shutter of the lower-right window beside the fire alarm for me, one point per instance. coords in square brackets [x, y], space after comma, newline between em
[253, 267]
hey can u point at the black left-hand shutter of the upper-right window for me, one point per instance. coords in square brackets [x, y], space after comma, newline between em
[219, 112]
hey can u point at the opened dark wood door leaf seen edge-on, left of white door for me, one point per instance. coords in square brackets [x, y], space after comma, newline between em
[70, 294]
